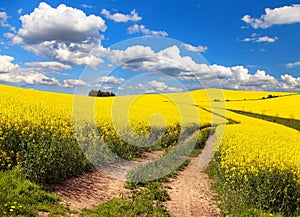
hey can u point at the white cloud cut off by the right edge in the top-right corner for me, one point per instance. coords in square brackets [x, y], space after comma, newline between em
[276, 16]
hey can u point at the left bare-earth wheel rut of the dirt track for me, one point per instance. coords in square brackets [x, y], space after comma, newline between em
[94, 188]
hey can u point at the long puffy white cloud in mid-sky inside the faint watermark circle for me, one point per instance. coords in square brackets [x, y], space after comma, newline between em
[167, 61]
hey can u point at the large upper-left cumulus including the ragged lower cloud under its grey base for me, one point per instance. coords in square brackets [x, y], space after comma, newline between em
[62, 33]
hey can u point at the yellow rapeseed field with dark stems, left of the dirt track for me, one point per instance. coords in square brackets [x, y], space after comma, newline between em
[38, 126]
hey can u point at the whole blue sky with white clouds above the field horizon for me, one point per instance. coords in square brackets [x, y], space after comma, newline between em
[150, 46]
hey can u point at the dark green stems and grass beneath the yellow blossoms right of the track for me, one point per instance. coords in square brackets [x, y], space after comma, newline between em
[256, 197]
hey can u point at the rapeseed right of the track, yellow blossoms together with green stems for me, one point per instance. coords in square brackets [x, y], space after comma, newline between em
[259, 163]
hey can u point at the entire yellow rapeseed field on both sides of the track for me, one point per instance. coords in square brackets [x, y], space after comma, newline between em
[37, 132]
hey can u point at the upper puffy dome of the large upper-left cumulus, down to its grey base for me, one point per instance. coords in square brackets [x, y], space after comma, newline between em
[61, 24]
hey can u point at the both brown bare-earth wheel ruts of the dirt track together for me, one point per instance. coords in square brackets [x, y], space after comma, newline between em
[190, 191]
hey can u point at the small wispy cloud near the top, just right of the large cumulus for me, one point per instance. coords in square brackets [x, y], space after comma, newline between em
[121, 18]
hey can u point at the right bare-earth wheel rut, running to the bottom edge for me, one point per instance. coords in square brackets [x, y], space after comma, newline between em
[190, 191]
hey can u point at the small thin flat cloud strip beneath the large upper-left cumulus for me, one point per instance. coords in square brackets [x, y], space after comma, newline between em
[48, 66]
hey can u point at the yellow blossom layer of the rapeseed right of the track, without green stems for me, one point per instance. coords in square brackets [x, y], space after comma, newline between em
[256, 145]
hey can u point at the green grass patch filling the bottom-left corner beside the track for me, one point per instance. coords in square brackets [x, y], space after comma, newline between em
[20, 197]
